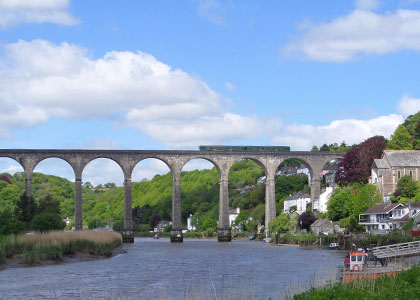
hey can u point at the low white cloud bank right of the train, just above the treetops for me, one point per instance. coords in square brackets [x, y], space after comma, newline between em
[303, 137]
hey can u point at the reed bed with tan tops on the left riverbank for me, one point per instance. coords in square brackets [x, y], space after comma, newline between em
[56, 246]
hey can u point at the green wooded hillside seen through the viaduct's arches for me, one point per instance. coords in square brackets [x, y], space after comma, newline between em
[152, 200]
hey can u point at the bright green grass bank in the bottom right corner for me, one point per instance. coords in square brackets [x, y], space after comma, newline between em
[405, 285]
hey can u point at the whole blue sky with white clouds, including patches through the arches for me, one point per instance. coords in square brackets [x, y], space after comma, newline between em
[131, 74]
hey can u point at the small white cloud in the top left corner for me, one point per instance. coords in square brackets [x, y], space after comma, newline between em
[15, 12]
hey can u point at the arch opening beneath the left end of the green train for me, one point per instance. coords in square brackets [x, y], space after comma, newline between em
[200, 195]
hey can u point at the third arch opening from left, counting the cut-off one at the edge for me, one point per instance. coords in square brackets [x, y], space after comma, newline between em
[103, 195]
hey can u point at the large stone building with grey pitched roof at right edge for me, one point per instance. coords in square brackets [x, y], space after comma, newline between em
[393, 165]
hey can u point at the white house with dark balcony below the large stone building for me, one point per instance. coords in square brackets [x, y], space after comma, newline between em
[377, 218]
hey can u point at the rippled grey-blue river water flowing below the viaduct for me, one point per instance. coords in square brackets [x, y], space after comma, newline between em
[196, 269]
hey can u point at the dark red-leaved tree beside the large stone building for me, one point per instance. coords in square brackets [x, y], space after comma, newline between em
[357, 162]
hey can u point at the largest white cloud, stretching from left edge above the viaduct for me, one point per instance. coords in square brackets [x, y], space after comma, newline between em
[40, 80]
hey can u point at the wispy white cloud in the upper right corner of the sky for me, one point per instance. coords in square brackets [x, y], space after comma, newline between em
[361, 32]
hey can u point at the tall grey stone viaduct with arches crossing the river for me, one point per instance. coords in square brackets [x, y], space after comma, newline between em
[175, 160]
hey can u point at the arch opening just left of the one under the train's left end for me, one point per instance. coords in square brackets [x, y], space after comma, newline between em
[151, 195]
